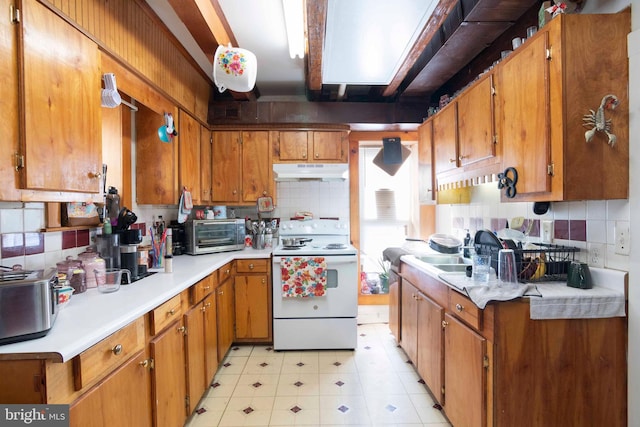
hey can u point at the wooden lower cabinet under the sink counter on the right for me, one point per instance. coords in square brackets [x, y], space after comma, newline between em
[500, 368]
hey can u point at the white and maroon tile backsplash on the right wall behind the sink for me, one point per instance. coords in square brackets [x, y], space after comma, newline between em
[581, 224]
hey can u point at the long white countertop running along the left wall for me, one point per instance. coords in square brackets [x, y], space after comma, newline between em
[92, 316]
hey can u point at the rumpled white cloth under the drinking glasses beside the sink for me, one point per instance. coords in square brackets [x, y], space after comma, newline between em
[481, 294]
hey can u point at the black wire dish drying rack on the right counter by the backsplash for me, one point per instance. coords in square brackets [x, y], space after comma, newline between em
[556, 258]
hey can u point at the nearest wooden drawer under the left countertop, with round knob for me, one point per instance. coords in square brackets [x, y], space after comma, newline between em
[104, 357]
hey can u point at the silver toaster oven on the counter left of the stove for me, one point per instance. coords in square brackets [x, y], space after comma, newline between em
[207, 236]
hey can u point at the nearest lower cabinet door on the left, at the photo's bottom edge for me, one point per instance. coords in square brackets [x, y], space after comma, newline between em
[123, 399]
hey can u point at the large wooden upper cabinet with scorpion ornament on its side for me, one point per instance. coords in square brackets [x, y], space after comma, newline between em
[541, 122]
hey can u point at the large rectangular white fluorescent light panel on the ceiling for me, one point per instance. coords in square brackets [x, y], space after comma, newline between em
[367, 40]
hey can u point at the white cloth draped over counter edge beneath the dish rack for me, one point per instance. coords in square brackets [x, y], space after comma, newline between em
[560, 301]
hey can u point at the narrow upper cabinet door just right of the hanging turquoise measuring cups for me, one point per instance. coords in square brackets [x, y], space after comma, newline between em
[189, 155]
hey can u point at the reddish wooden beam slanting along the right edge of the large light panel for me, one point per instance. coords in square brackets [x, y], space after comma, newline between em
[432, 26]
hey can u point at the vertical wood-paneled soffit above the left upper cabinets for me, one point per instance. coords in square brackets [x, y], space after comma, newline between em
[131, 33]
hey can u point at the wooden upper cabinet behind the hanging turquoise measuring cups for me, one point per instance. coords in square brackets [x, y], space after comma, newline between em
[156, 164]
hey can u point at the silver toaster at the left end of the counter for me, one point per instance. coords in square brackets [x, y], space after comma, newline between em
[28, 304]
